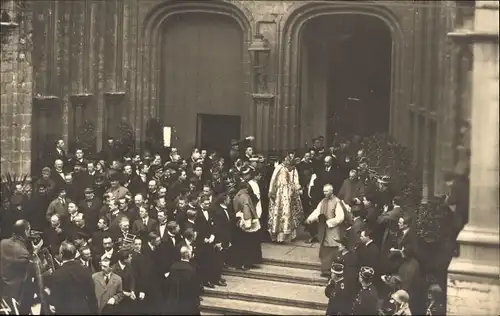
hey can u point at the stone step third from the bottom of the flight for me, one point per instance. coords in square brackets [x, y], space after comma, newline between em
[281, 274]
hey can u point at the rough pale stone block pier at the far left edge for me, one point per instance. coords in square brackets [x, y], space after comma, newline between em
[16, 90]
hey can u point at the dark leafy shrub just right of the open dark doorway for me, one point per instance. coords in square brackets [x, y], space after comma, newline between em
[387, 157]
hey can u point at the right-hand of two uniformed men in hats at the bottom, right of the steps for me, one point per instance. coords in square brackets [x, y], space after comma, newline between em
[366, 302]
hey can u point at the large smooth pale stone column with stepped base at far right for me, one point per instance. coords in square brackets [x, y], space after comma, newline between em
[473, 278]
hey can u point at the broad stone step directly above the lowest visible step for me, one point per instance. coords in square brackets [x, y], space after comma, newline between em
[271, 292]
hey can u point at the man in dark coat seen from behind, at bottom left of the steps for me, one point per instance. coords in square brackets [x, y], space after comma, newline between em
[183, 292]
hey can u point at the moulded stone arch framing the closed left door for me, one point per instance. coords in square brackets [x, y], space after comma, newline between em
[148, 66]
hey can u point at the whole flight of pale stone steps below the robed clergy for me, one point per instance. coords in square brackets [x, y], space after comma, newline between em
[288, 283]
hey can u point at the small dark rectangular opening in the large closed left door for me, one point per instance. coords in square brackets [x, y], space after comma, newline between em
[215, 132]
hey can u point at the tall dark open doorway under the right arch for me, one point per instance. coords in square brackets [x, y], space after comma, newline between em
[351, 58]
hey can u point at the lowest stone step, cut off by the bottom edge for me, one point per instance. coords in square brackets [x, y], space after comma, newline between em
[222, 306]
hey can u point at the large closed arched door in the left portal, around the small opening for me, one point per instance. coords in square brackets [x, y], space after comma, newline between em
[202, 72]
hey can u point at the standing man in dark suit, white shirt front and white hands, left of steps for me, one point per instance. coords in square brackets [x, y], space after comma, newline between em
[204, 226]
